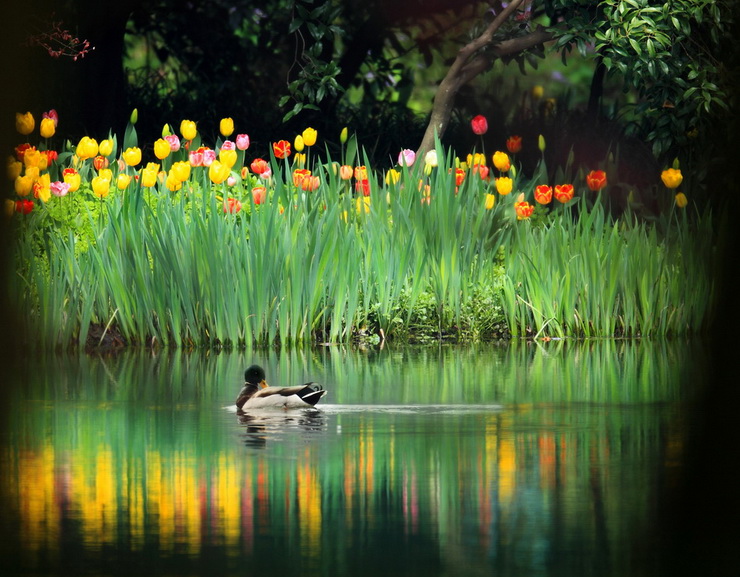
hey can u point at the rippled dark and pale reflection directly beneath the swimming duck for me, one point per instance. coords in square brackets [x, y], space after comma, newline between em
[263, 426]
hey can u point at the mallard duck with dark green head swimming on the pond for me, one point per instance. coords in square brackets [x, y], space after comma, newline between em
[256, 394]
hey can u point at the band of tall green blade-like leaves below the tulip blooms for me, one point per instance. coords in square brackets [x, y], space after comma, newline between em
[176, 268]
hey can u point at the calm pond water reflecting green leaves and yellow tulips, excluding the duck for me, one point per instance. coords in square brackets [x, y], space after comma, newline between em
[518, 459]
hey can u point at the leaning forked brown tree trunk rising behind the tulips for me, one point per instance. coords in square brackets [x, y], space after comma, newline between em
[468, 65]
